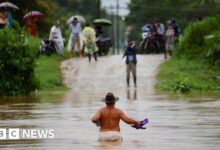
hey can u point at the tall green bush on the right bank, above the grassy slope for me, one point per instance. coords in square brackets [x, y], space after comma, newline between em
[196, 43]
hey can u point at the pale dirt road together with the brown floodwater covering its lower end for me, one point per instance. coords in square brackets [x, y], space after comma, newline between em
[178, 123]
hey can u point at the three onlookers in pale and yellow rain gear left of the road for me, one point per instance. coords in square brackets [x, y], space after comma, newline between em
[79, 39]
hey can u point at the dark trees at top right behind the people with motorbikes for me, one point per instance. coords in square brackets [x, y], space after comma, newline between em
[185, 11]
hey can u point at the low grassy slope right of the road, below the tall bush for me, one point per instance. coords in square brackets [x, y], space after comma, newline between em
[184, 75]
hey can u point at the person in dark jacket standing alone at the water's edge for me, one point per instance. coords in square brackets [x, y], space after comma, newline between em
[131, 61]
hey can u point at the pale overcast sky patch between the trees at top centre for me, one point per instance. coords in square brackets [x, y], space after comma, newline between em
[122, 3]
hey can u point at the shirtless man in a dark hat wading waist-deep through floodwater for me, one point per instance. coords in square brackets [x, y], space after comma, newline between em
[108, 119]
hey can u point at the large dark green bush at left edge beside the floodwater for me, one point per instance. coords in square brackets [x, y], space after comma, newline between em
[17, 64]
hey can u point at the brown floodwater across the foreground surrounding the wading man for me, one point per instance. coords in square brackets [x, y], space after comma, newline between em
[173, 124]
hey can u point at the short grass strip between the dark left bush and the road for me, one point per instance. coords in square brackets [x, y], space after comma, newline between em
[49, 74]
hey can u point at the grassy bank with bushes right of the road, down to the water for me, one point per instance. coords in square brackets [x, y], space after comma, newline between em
[195, 65]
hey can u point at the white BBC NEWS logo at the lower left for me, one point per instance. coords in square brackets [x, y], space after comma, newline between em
[17, 134]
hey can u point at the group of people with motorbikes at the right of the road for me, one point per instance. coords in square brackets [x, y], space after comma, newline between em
[160, 36]
